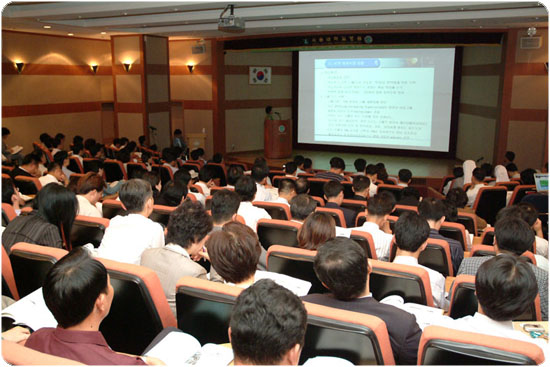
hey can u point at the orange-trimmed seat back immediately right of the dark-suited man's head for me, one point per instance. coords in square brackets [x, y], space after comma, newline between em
[410, 282]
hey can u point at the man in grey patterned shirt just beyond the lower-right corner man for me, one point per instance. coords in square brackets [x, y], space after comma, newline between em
[512, 236]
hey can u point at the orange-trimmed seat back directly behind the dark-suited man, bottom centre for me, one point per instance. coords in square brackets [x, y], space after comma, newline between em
[360, 338]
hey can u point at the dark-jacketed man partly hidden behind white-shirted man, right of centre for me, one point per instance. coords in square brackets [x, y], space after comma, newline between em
[433, 211]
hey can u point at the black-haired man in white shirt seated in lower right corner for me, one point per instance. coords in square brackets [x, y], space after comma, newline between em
[505, 288]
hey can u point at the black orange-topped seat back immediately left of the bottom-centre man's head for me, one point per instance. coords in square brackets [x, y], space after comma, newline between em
[204, 308]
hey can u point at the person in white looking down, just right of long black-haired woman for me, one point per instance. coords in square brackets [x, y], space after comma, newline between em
[90, 191]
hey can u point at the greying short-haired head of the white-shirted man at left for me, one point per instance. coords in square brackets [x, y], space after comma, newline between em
[137, 196]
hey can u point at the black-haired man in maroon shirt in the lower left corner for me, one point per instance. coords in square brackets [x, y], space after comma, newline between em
[78, 292]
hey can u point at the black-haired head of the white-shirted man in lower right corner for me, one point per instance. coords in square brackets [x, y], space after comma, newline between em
[505, 287]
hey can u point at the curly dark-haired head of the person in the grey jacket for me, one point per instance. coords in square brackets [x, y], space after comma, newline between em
[188, 226]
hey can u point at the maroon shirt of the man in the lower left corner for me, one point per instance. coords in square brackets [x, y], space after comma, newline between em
[88, 347]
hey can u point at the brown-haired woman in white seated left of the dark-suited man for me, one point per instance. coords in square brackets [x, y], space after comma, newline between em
[234, 252]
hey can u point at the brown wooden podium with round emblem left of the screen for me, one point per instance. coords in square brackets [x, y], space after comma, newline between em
[277, 138]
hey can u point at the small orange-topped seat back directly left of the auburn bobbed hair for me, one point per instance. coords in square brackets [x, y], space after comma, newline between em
[278, 232]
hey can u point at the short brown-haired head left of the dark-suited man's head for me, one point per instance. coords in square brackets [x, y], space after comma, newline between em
[234, 252]
